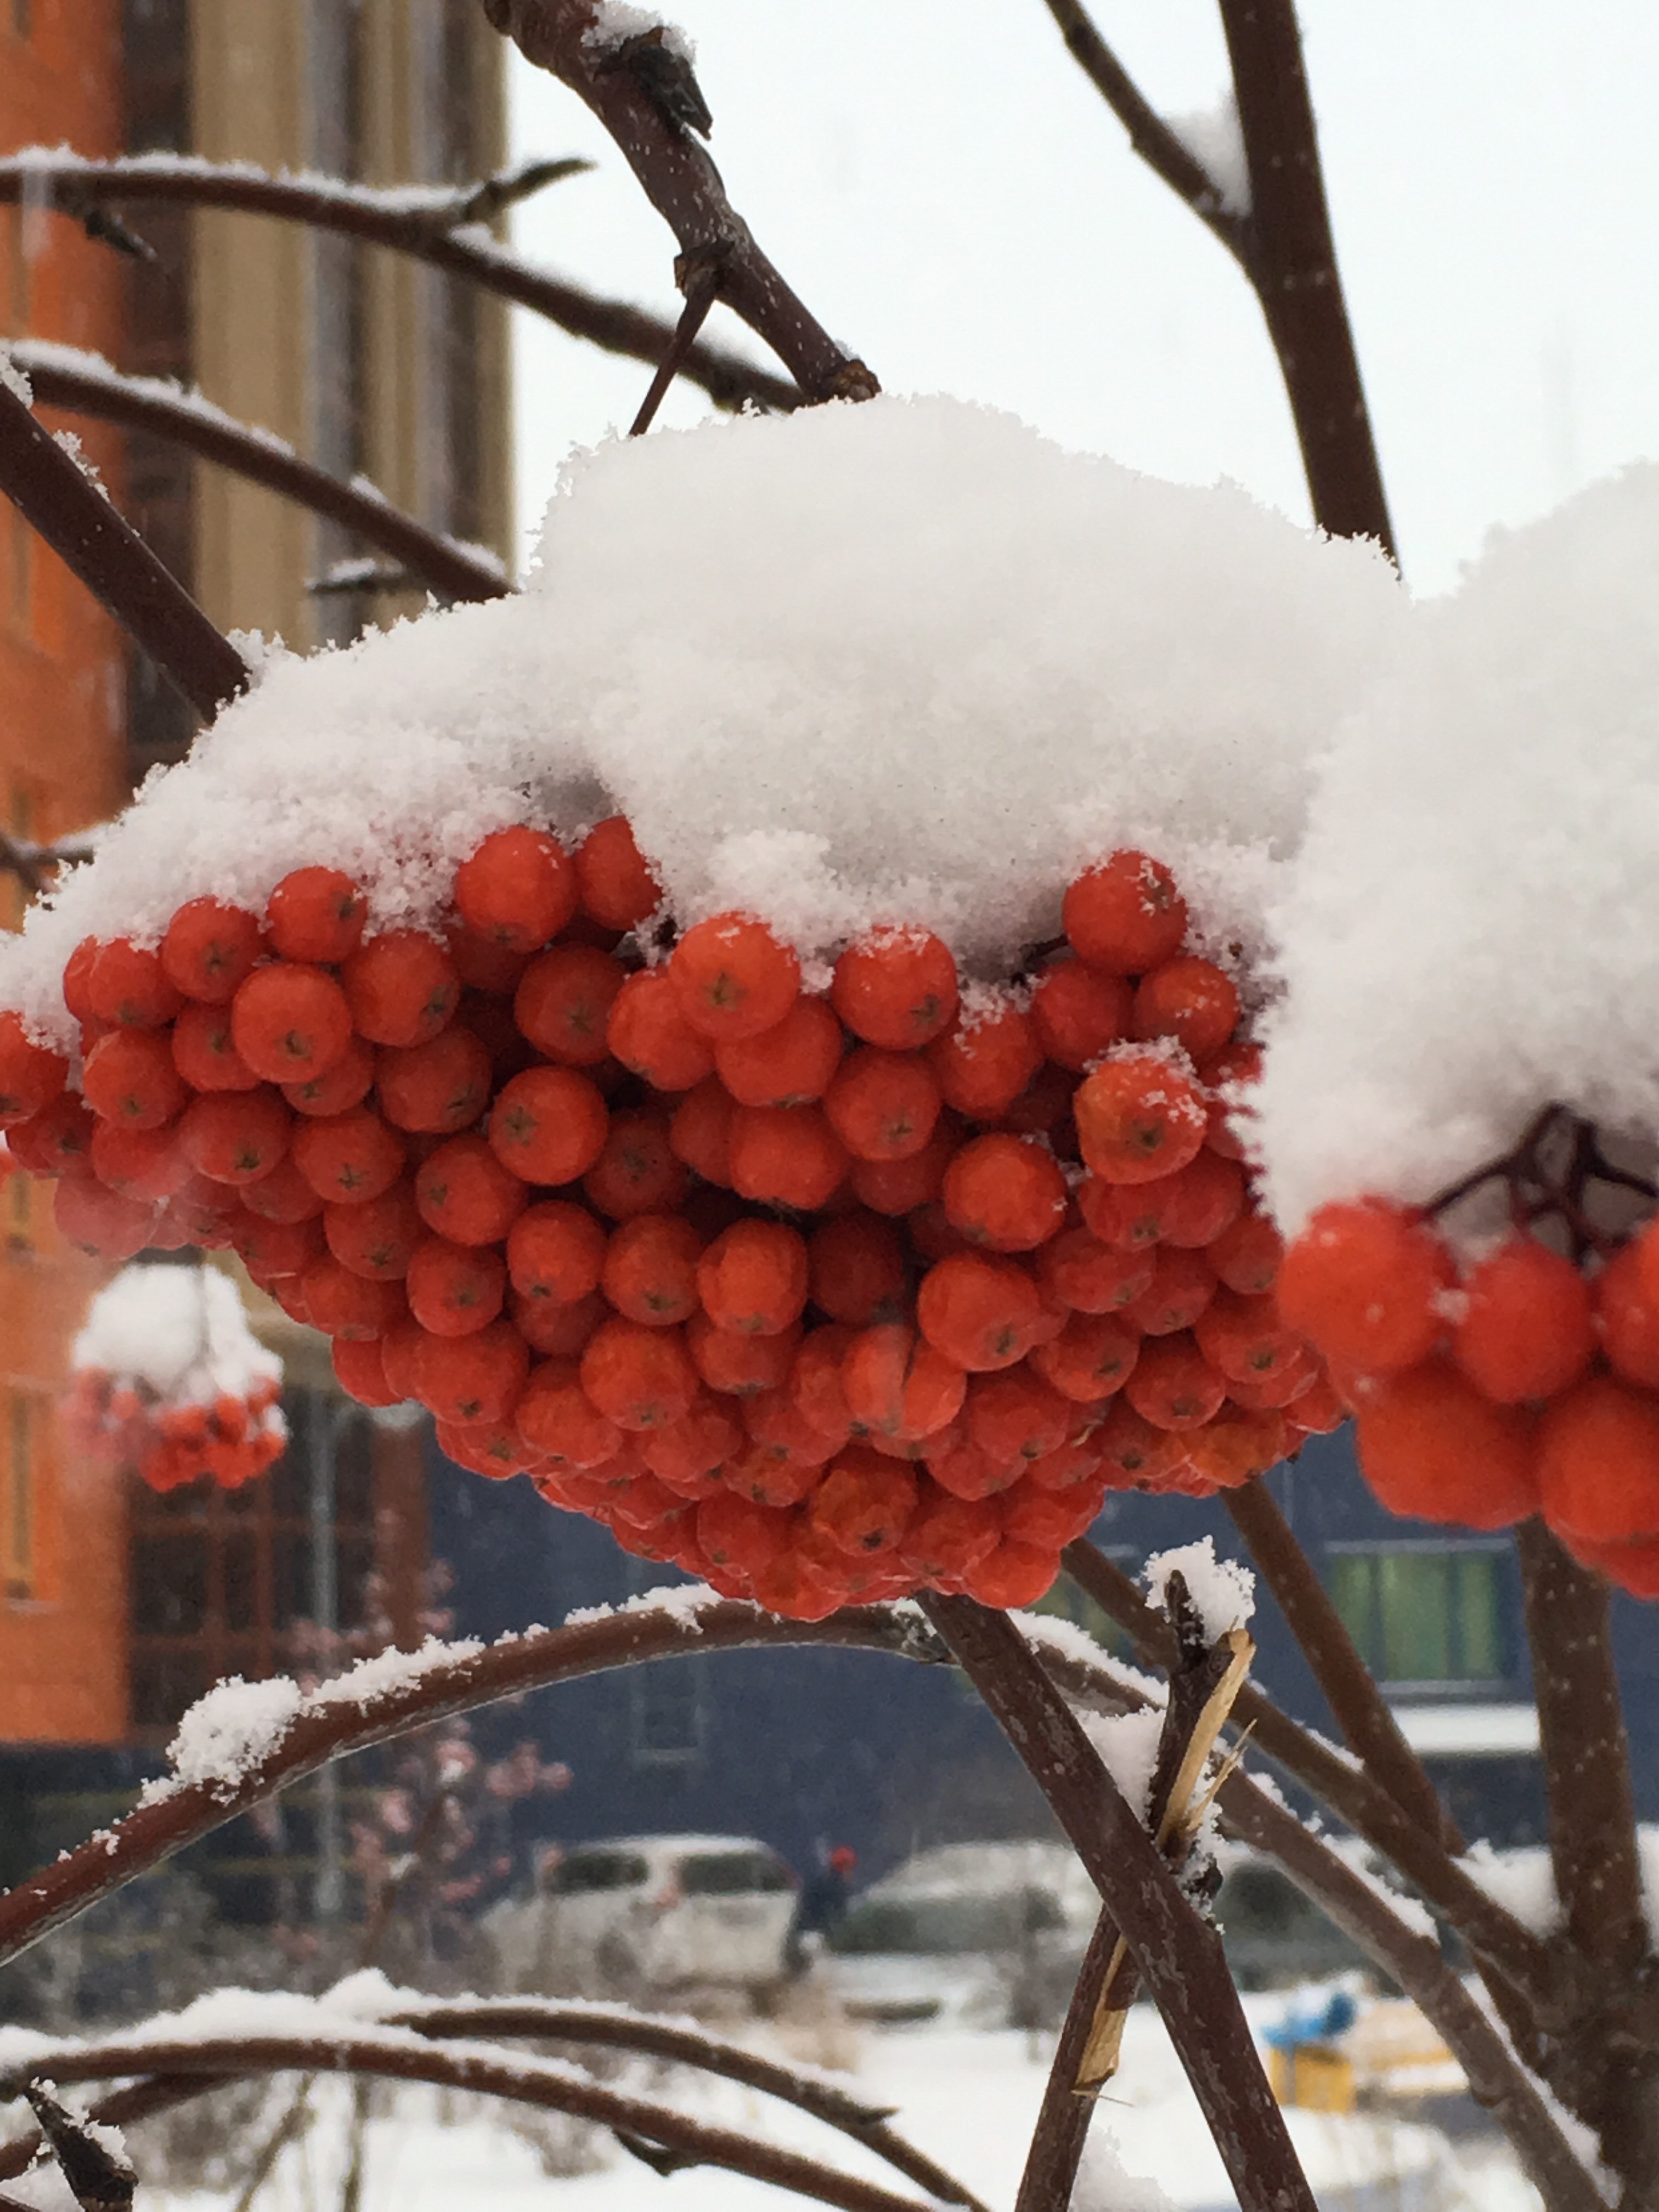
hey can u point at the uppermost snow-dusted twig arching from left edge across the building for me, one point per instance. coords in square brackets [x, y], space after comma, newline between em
[386, 220]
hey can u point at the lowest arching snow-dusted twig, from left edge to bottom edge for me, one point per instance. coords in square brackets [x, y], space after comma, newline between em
[488, 2074]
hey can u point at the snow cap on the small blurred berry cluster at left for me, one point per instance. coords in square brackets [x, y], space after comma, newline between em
[178, 1331]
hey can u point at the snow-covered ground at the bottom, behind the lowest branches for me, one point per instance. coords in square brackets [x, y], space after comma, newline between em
[966, 2098]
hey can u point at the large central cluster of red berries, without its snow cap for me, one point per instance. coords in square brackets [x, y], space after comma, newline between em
[820, 1295]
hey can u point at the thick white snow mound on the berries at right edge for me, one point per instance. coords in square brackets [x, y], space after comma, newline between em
[1474, 921]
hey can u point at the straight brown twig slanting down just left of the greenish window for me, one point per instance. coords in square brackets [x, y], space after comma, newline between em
[1346, 1682]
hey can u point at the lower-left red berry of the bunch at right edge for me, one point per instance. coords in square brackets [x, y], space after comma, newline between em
[1437, 1448]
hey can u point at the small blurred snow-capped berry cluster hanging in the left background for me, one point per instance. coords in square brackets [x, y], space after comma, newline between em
[169, 1379]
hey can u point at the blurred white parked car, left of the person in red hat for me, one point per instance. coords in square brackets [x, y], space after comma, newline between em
[645, 1914]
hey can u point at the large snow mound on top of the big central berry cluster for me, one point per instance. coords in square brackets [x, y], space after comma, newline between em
[890, 662]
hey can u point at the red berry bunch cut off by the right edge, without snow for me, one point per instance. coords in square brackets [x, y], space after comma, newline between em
[1521, 1384]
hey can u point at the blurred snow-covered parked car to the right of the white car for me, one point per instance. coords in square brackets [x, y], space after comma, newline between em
[979, 1934]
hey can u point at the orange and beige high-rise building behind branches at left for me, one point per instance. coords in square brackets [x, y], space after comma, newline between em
[116, 1607]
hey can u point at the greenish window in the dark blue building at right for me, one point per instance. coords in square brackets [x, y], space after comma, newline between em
[1423, 1614]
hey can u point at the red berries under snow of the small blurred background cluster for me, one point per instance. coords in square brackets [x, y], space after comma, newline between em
[125, 1421]
